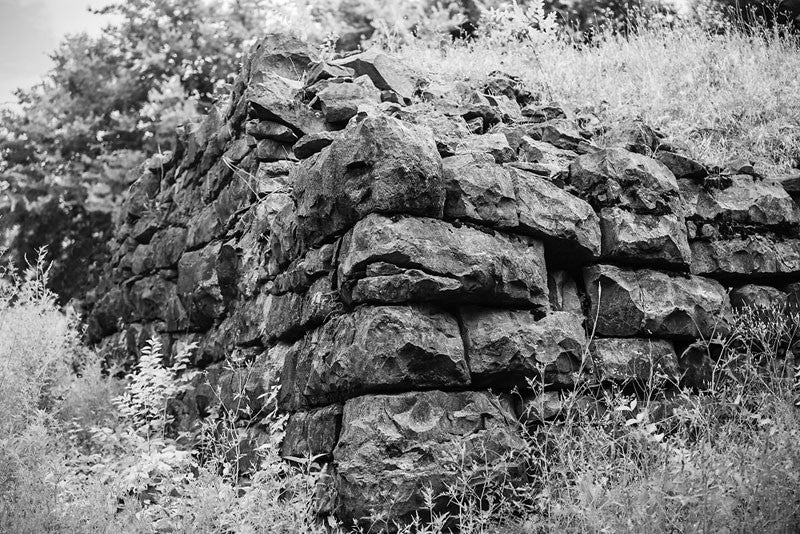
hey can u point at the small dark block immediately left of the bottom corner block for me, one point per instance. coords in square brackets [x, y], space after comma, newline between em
[313, 433]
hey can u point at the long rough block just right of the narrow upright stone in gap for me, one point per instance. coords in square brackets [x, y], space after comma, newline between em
[652, 303]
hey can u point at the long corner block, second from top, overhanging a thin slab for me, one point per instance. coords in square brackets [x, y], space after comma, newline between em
[505, 269]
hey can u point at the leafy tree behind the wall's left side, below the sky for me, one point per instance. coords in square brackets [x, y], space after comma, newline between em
[107, 102]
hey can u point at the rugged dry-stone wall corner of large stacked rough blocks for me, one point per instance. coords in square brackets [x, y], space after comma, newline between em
[404, 254]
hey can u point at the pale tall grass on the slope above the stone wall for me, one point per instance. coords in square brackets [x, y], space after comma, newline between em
[727, 95]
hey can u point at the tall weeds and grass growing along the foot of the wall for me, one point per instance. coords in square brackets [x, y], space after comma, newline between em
[90, 453]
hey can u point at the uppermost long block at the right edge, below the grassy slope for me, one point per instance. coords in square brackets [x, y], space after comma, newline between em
[744, 201]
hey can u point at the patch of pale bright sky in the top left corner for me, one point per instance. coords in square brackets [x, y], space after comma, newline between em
[30, 30]
